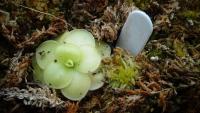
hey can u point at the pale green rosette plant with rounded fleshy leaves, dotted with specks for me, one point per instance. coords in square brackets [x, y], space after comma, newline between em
[68, 63]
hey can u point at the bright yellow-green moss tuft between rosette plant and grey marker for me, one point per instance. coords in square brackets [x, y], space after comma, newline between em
[122, 70]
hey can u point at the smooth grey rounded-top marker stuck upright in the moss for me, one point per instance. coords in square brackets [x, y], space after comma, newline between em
[135, 32]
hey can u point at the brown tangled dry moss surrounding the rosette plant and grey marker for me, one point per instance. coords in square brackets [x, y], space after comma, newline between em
[169, 78]
